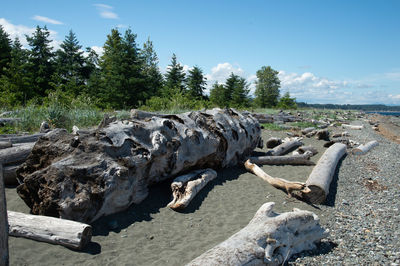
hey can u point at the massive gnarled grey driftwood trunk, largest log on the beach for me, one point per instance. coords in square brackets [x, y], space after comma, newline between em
[84, 177]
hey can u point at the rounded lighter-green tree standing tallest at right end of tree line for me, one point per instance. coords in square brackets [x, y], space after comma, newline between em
[267, 87]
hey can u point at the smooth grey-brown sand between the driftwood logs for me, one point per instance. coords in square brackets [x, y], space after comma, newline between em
[152, 234]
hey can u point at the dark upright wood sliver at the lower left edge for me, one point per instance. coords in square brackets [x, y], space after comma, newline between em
[4, 259]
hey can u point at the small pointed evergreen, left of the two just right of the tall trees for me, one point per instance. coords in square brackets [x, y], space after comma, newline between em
[174, 78]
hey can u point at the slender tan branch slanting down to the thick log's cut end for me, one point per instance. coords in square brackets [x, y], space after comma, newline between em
[291, 188]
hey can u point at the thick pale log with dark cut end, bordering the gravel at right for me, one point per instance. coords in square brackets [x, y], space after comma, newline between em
[321, 176]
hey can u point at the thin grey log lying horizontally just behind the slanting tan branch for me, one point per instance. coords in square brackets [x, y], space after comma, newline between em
[301, 159]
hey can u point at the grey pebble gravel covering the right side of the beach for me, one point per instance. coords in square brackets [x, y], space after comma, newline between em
[363, 212]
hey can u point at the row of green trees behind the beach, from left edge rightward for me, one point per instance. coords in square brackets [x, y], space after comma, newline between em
[125, 76]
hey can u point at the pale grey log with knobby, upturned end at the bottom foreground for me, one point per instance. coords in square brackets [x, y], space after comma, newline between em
[270, 238]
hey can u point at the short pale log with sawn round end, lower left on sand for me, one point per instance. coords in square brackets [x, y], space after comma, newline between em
[49, 229]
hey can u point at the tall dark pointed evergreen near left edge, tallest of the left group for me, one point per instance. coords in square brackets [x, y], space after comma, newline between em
[41, 61]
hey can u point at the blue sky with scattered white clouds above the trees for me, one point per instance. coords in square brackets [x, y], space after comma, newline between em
[326, 51]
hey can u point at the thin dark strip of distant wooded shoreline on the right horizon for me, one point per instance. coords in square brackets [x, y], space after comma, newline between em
[363, 107]
